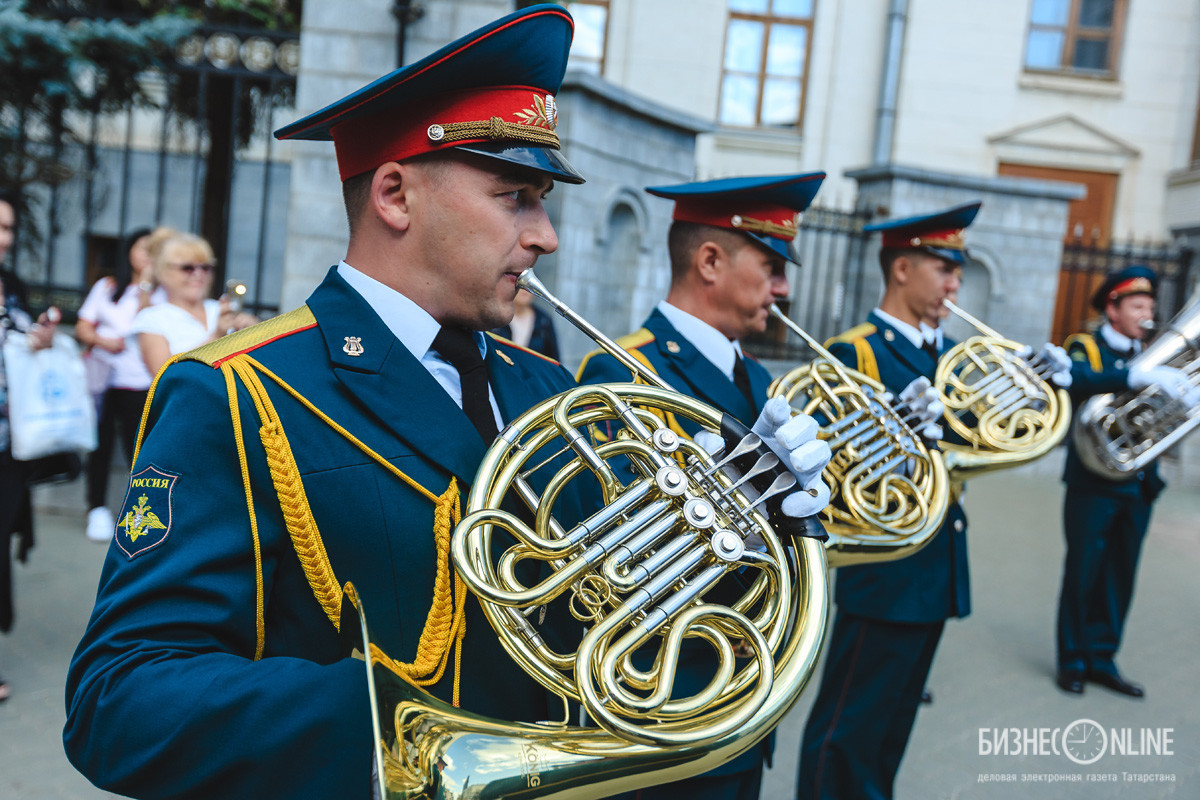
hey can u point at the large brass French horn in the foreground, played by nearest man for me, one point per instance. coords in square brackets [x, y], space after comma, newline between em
[635, 575]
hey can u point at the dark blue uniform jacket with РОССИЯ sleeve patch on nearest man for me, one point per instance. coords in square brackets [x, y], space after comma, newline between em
[164, 695]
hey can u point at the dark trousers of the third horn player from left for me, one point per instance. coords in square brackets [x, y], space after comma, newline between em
[857, 732]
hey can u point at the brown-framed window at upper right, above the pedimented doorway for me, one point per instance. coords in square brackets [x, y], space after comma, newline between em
[1076, 37]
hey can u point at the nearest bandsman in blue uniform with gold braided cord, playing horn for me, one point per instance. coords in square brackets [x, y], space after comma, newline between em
[321, 460]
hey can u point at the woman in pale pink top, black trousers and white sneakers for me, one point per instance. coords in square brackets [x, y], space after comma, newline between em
[106, 321]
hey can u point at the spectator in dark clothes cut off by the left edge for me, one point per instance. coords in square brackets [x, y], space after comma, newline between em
[16, 510]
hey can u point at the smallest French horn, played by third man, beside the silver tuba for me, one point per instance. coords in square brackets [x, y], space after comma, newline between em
[1000, 402]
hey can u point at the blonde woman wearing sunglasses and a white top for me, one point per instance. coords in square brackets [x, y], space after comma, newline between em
[190, 317]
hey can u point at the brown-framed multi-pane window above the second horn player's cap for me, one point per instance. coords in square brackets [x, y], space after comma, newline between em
[766, 63]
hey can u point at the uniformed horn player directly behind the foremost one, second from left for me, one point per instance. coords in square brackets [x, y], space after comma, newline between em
[730, 246]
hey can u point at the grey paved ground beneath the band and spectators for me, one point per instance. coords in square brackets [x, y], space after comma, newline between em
[993, 671]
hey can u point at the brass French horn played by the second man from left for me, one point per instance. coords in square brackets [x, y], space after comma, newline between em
[889, 491]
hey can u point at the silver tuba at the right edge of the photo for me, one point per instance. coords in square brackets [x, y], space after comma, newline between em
[1117, 435]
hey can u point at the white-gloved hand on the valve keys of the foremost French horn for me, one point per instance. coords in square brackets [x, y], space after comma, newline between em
[794, 440]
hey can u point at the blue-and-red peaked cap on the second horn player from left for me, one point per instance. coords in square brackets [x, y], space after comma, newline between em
[763, 208]
